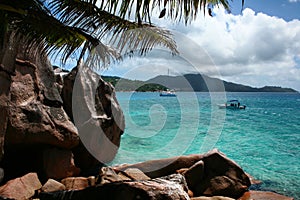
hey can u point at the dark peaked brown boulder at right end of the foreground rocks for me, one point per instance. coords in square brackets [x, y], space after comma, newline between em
[221, 177]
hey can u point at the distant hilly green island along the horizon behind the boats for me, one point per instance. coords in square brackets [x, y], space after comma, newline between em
[187, 82]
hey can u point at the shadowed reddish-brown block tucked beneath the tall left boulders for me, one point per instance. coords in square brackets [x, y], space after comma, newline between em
[59, 163]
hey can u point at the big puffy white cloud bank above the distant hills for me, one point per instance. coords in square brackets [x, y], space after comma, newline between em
[253, 49]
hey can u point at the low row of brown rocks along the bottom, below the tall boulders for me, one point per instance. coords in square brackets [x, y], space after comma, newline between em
[210, 176]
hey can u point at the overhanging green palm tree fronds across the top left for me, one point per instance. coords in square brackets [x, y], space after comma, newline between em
[69, 28]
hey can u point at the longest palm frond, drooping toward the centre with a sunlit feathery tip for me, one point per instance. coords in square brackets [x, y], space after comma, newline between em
[100, 23]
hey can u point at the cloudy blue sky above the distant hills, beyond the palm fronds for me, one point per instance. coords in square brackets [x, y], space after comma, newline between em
[258, 46]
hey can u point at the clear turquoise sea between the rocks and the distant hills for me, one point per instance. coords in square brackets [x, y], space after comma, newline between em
[264, 139]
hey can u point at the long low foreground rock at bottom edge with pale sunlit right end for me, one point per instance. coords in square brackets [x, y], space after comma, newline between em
[146, 190]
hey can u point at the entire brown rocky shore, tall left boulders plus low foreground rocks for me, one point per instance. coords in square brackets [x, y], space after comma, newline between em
[43, 156]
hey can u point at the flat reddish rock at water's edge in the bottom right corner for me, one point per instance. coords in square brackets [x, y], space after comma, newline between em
[263, 195]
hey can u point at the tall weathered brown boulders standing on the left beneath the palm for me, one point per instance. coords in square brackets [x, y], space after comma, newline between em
[35, 125]
